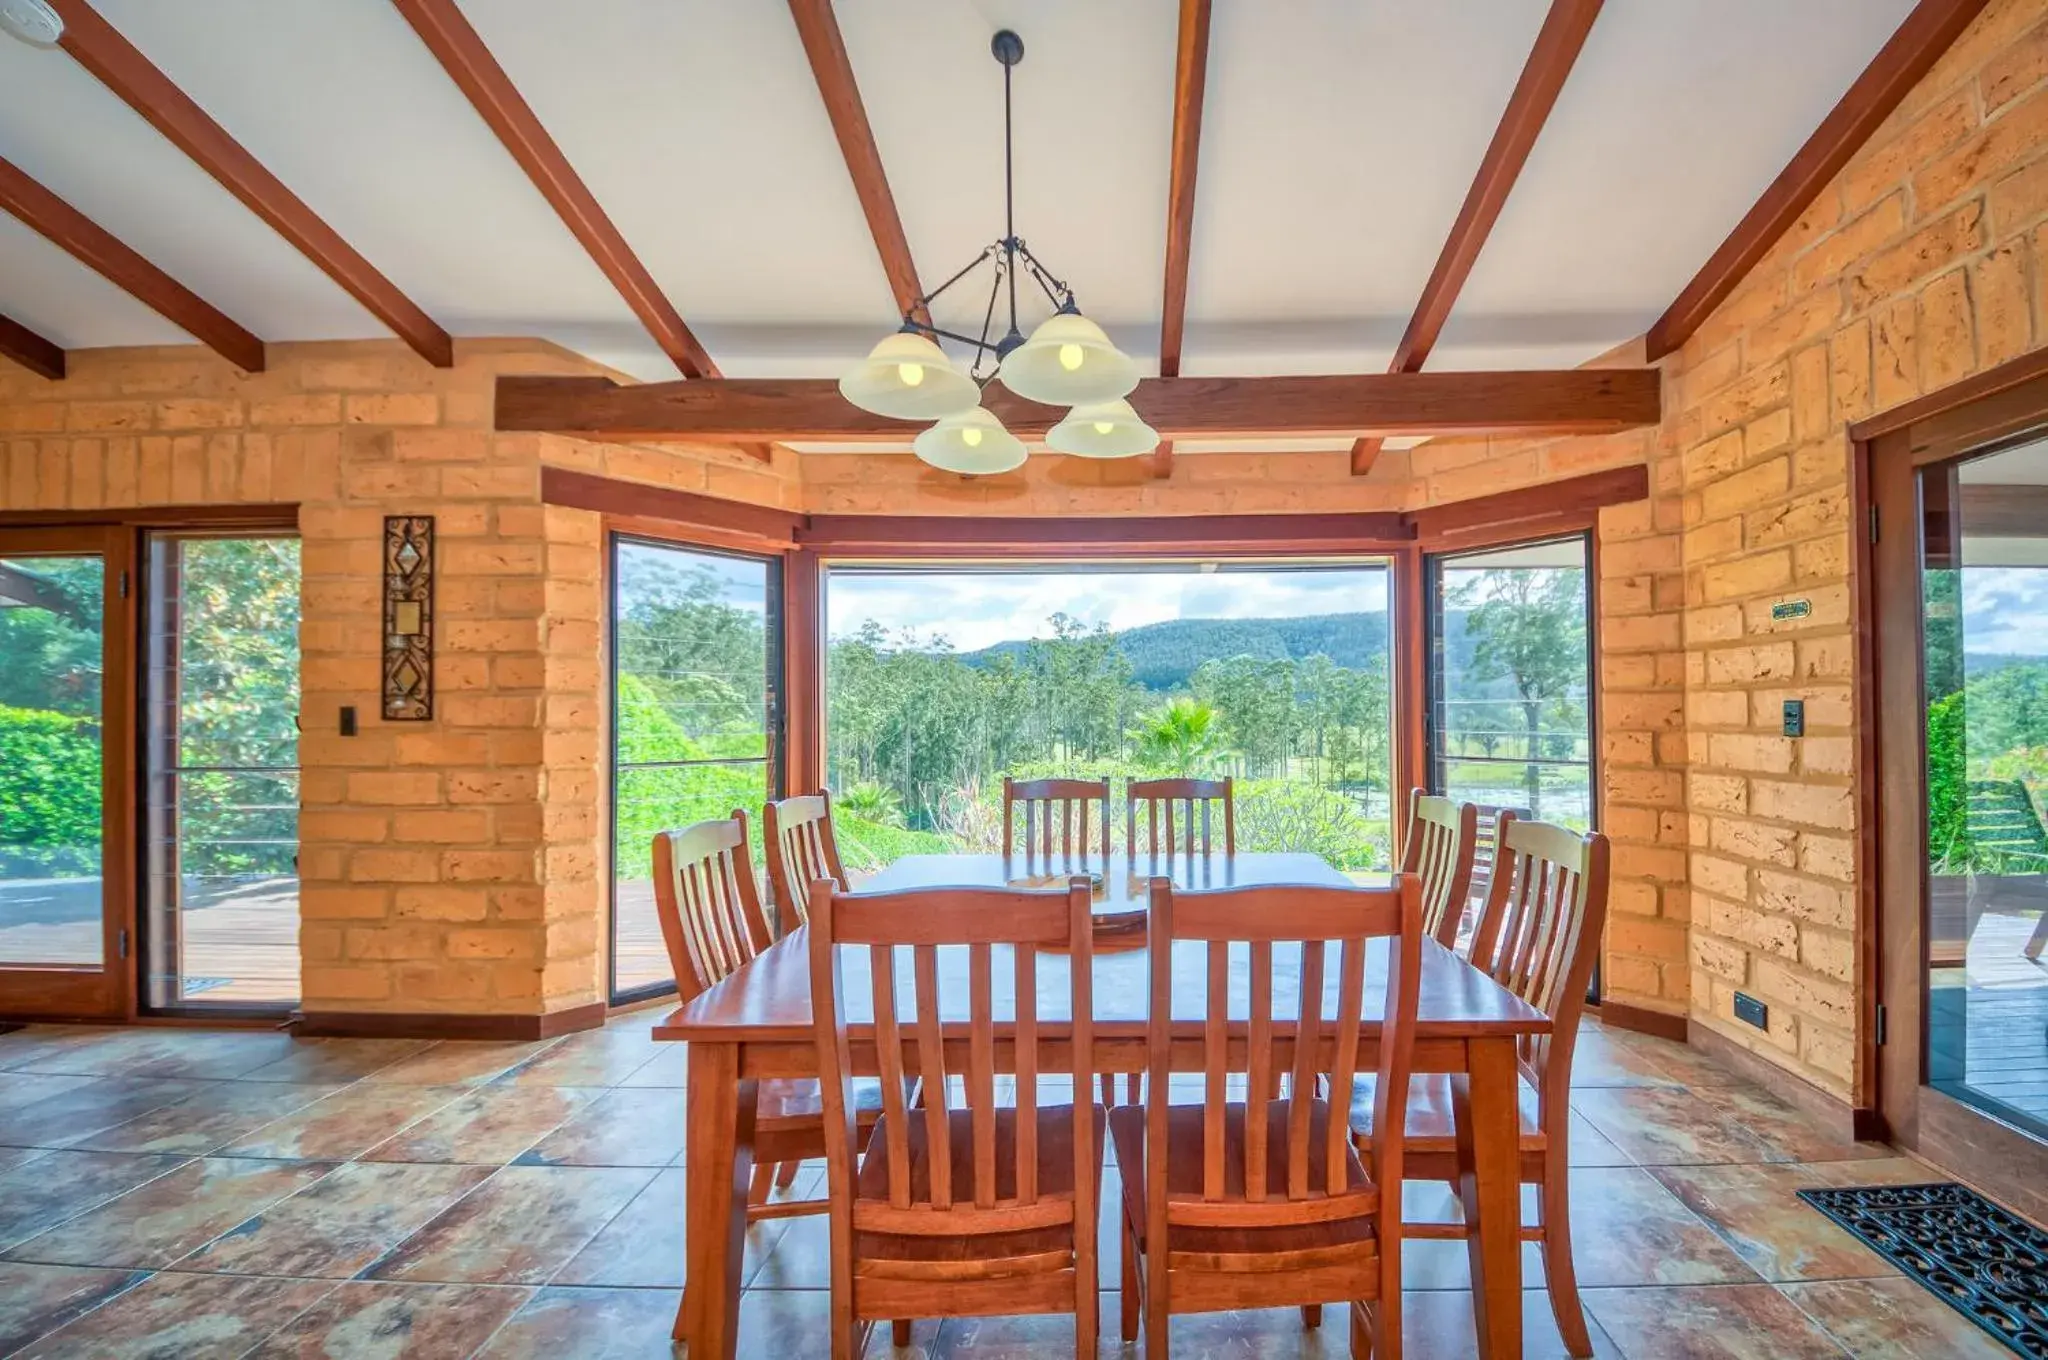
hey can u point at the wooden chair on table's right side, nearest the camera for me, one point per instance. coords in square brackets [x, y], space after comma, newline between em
[1539, 937]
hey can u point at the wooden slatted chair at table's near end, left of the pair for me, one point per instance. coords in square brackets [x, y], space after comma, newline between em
[974, 1209]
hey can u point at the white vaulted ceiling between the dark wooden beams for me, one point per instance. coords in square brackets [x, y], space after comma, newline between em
[1340, 138]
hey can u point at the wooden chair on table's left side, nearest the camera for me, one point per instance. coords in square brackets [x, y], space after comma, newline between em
[710, 906]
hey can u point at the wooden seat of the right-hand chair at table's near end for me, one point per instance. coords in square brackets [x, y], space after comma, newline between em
[1187, 1146]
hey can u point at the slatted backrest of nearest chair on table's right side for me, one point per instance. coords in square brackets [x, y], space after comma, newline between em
[1541, 931]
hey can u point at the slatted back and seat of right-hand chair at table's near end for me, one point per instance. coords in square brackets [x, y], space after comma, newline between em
[1316, 921]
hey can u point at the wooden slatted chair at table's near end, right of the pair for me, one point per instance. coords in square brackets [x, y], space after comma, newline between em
[1267, 1203]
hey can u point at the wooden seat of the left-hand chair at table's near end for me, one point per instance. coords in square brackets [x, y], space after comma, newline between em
[1056, 1183]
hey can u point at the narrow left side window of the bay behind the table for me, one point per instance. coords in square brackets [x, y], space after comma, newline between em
[695, 720]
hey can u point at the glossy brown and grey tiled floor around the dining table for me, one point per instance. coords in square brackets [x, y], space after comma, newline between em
[198, 1195]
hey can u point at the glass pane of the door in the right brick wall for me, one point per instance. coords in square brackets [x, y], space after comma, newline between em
[1986, 595]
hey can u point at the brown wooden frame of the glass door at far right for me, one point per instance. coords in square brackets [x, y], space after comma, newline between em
[1887, 458]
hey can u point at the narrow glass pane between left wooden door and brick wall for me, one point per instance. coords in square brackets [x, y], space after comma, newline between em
[222, 773]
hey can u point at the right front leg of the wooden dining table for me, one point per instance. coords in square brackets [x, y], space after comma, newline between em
[1488, 1185]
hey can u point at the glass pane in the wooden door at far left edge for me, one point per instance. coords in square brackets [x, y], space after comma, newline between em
[50, 761]
